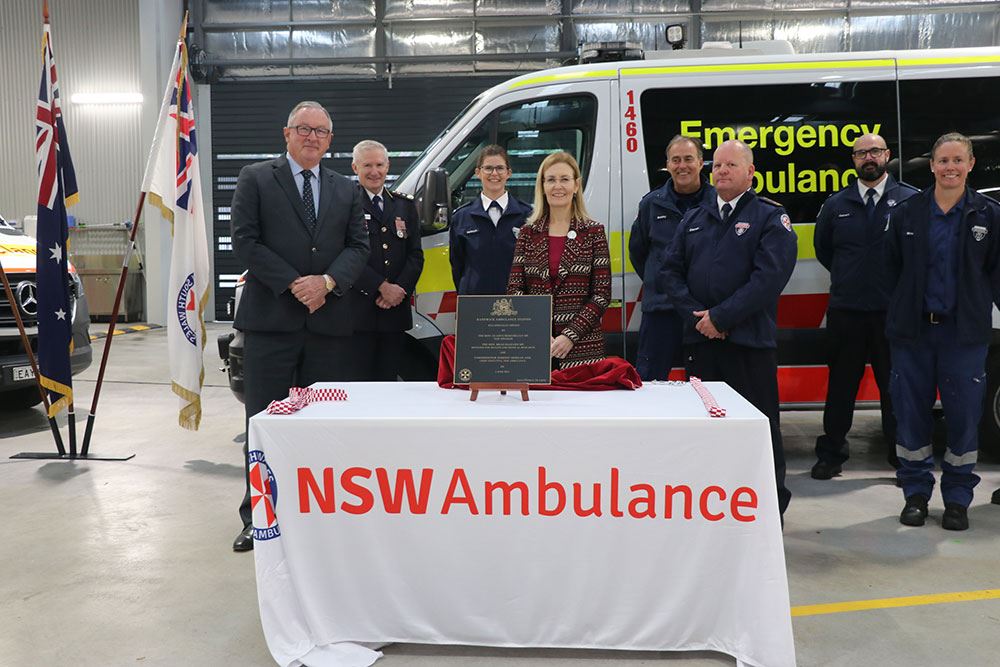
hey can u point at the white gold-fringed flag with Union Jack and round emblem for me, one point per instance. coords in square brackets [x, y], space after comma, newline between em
[173, 184]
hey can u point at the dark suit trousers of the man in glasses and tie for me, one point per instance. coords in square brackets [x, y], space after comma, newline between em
[274, 362]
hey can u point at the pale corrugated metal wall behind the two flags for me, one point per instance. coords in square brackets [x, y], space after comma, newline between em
[96, 46]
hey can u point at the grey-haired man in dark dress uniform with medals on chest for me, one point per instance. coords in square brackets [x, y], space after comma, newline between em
[380, 299]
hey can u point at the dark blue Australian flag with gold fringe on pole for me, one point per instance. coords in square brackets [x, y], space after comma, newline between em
[56, 190]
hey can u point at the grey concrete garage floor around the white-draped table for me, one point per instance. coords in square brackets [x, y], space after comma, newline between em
[131, 563]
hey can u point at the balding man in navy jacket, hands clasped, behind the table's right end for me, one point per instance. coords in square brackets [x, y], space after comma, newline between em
[725, 268]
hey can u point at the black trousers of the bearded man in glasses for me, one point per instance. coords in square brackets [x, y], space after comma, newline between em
[856, 338]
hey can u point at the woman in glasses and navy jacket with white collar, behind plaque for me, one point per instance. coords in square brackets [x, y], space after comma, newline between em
[483, 231]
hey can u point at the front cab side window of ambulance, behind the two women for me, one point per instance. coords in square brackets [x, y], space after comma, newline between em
[529, 131]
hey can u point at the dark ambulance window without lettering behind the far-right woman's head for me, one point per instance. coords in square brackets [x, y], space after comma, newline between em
[959, 108]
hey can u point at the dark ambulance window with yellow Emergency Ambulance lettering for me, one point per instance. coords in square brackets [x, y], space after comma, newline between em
[801, 134]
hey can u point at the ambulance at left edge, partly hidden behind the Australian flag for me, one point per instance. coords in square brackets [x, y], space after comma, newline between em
[17, 380]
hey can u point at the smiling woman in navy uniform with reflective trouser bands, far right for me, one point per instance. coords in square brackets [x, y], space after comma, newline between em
[943, 253]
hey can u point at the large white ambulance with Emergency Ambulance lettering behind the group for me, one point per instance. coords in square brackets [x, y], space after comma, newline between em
[801, 115]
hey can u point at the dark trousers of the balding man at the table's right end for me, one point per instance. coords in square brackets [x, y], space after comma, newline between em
[753, 373]
